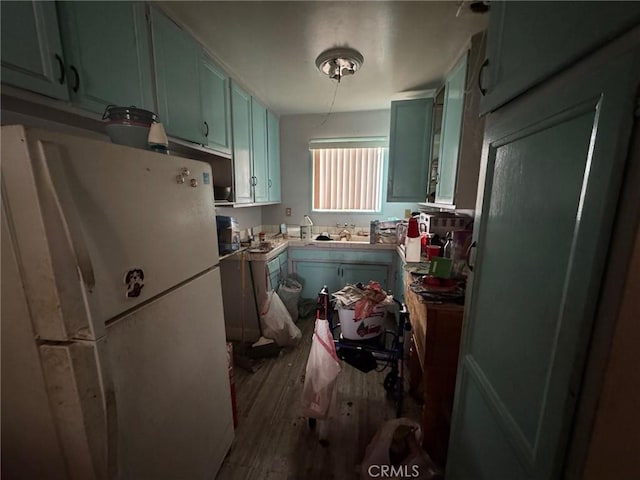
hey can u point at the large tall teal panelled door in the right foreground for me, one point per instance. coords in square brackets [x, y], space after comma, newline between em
[552, 169]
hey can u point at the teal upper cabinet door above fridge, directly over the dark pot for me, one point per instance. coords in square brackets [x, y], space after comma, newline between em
[107, 51]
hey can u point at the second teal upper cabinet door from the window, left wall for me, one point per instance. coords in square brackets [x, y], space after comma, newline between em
[259, 143]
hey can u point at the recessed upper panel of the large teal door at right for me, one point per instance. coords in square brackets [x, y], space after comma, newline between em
[518, 250]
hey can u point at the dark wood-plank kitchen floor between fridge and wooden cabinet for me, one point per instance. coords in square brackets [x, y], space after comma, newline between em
[274, 442]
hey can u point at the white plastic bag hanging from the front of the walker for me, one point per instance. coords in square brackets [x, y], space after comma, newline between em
[322, 371]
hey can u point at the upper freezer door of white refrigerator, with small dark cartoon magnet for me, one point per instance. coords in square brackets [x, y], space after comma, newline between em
[110, 196]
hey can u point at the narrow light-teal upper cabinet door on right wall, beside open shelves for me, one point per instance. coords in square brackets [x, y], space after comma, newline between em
[450, 134]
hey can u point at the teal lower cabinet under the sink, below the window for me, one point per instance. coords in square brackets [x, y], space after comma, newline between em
[317, 267]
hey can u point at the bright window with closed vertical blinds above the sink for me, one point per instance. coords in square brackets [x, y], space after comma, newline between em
[347, 175]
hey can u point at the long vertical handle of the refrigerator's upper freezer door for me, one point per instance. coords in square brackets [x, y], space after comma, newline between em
[69, 216]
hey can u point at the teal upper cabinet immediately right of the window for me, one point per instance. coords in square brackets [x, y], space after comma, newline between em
[409, 149]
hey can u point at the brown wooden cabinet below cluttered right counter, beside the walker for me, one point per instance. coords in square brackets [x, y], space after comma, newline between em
[435, 337]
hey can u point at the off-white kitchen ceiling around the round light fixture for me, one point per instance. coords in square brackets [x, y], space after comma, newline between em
[271, 47]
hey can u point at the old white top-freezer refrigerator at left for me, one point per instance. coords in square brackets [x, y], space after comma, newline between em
[113, 344]
